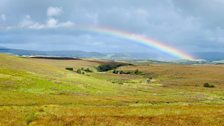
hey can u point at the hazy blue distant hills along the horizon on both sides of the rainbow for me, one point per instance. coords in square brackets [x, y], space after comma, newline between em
[204, 56]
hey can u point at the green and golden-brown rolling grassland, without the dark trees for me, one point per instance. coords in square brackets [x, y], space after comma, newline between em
[39, 92]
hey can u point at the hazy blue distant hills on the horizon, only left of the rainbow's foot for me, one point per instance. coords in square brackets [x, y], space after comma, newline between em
[81, 54]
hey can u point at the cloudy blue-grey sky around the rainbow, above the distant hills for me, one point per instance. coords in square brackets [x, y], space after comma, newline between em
[187, 25]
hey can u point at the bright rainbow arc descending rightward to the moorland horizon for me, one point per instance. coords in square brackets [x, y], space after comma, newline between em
[137, 38]
